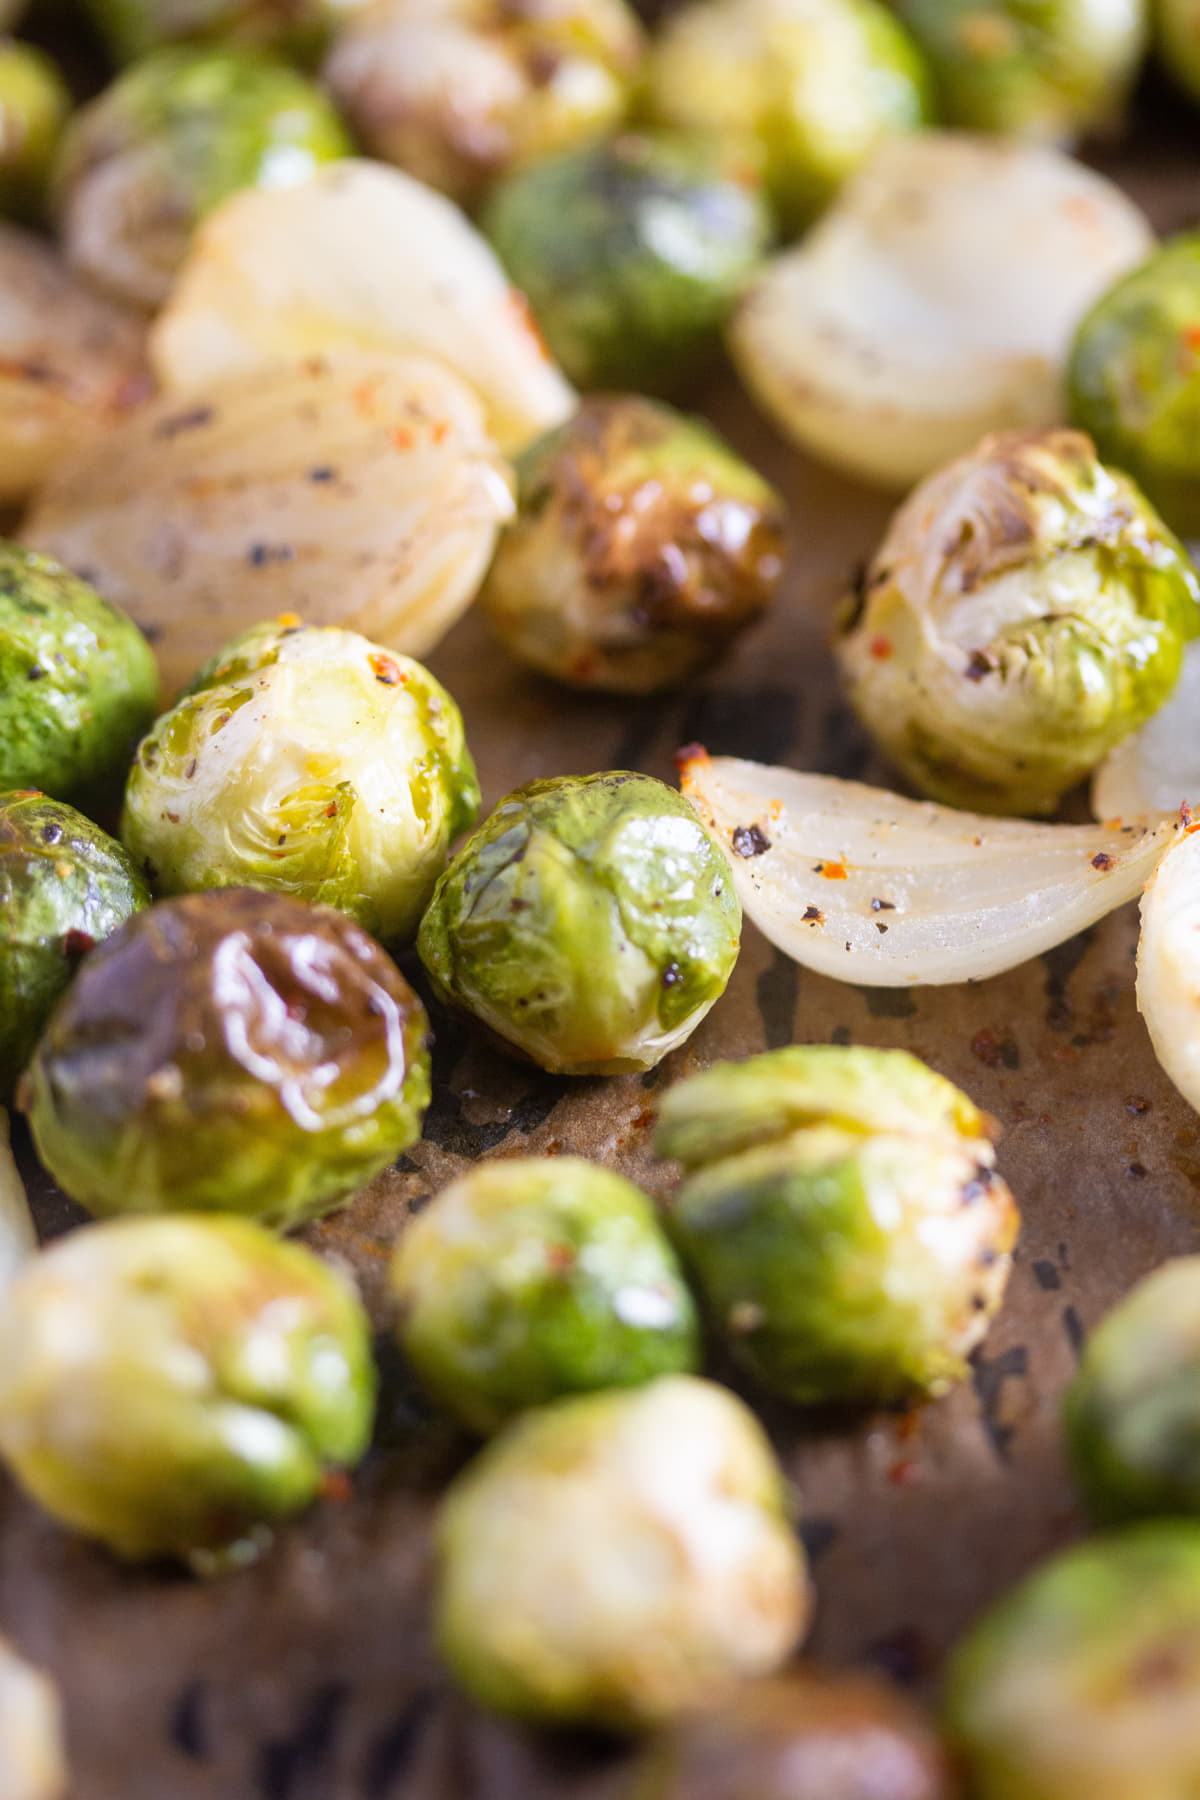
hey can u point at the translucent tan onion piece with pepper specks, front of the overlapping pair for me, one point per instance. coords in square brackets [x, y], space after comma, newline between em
[357, 490]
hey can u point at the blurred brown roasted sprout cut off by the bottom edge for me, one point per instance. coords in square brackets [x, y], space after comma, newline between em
[805, 1736]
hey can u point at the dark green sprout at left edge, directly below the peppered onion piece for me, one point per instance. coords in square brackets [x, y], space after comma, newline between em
[78, 683]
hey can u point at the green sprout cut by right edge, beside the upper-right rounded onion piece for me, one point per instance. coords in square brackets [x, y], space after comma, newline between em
[1134, 379]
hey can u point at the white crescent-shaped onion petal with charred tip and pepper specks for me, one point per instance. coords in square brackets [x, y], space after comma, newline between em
[866, 886]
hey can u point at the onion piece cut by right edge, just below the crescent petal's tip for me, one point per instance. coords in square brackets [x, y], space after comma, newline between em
[1169, 964]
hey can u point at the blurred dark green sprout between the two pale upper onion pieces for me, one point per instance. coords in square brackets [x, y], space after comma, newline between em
[631, 255]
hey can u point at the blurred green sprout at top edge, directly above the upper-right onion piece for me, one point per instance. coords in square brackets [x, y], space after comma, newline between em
[1048, 73]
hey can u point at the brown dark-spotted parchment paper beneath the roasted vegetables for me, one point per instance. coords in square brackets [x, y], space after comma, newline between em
[310, 1677]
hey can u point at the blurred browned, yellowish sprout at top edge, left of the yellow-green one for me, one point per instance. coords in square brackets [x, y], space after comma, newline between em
[463, 91]
